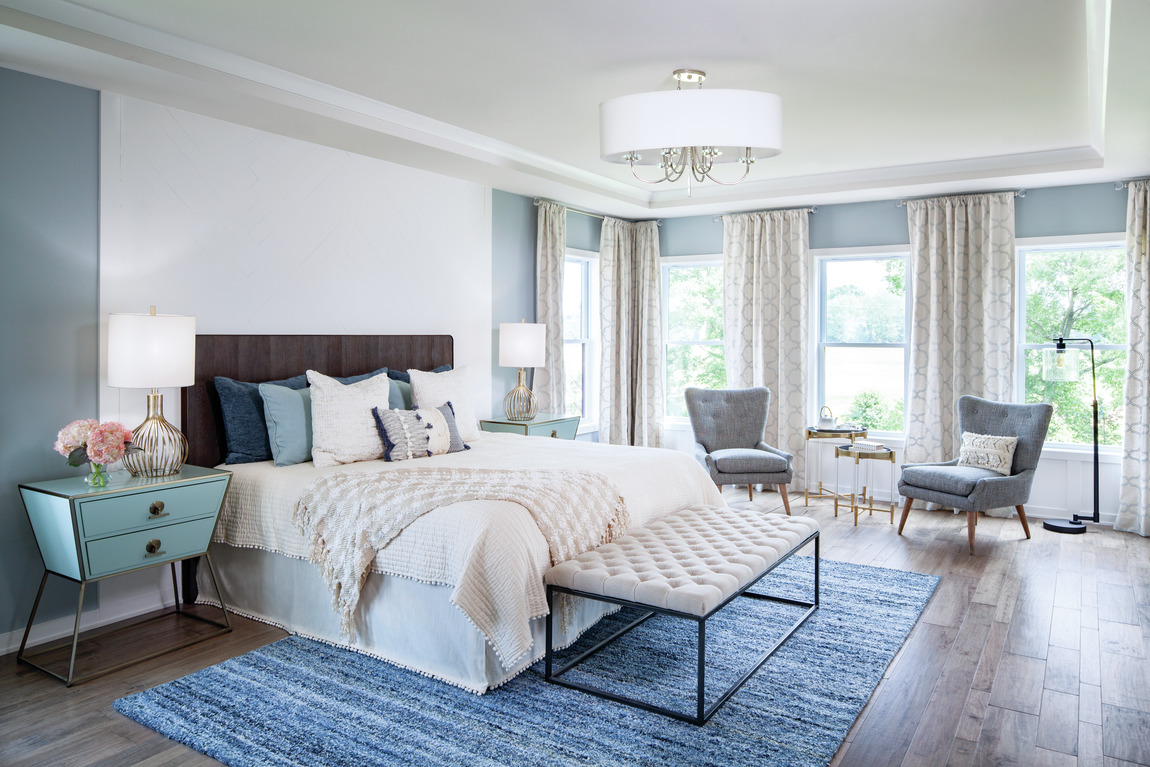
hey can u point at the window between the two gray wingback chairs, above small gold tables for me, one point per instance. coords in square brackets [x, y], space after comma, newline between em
[863, 340]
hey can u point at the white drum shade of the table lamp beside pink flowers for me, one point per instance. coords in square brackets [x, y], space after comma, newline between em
[151, 351]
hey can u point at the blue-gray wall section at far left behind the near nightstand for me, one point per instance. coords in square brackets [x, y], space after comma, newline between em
[49, 305]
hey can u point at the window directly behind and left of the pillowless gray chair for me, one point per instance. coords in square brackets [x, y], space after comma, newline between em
[693, 319]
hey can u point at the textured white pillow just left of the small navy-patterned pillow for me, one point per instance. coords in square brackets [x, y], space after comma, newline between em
[343, 427]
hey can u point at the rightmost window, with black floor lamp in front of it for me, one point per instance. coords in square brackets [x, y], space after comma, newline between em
[1075, 292]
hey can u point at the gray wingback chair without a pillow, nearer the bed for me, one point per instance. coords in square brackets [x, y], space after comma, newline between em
[729, 439]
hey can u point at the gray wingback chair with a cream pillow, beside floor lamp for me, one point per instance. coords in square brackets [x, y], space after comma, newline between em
[972, 489]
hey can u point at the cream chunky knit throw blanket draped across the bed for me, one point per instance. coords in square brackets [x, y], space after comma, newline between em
[349, 518]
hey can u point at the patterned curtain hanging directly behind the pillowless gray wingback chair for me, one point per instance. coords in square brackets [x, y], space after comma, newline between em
[766, 278]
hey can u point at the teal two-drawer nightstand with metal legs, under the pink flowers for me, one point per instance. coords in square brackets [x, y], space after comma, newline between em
[89, 534]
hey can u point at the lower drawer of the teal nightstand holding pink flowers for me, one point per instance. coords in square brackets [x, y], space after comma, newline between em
[132, 550]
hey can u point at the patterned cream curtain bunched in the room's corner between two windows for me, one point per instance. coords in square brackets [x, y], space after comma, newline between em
[632, 383]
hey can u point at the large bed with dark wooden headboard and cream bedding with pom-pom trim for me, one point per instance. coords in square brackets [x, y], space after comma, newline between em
[413, 609]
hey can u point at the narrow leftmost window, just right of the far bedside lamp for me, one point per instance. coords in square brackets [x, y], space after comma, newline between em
[580, 362]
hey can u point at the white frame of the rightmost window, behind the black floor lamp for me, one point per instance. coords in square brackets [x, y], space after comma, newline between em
[1024, 246]
